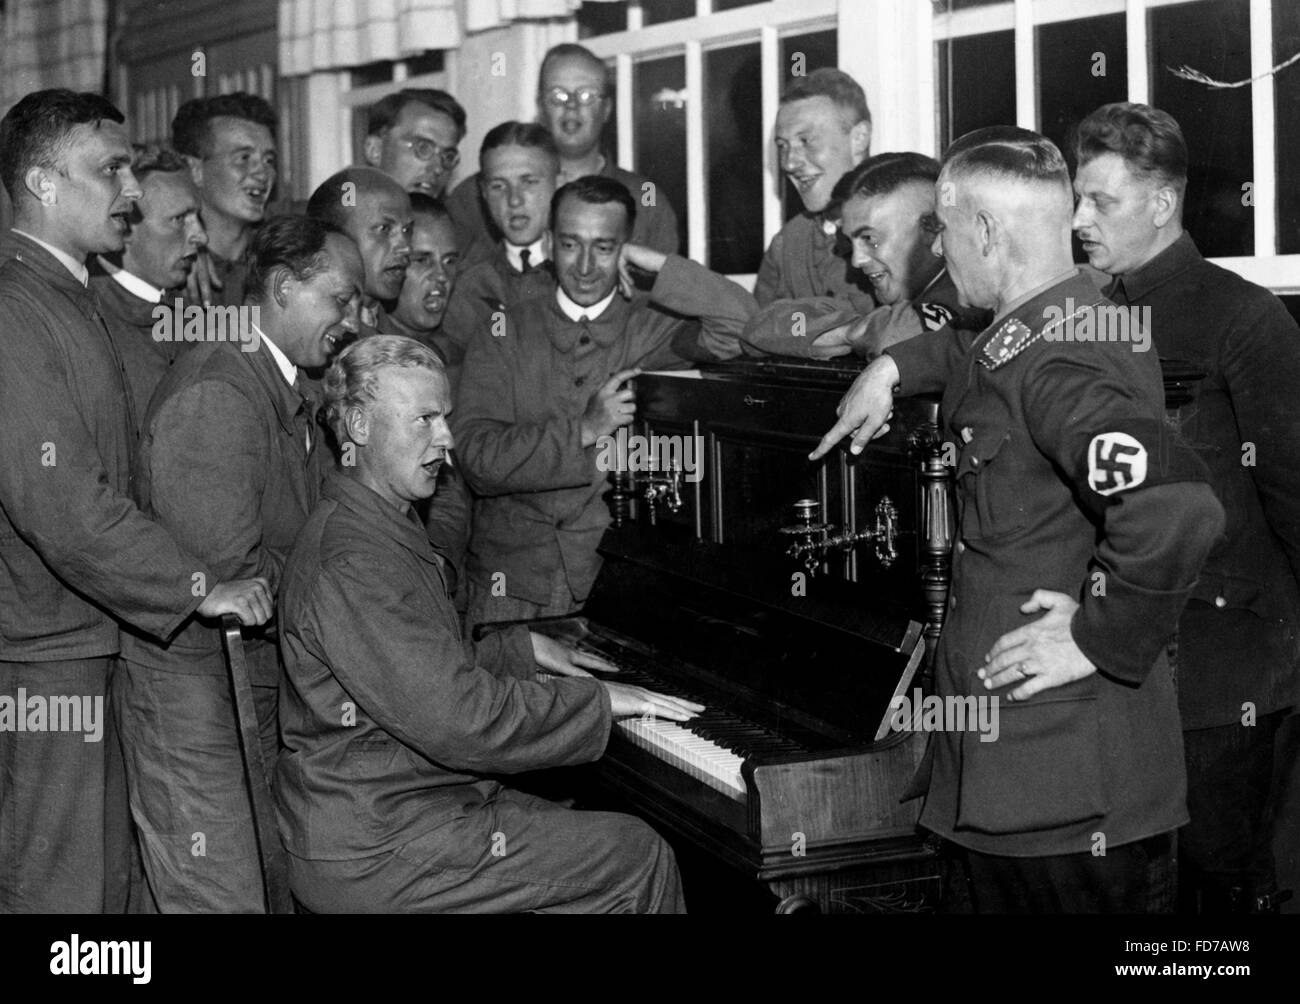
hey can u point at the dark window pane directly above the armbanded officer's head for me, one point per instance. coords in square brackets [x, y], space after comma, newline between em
[1082, 67]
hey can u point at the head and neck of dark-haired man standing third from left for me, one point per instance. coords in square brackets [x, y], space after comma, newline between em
[231, 145]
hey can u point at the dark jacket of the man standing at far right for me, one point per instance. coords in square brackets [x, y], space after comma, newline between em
[1240, 638]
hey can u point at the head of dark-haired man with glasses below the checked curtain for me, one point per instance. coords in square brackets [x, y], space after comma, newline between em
[413, 137]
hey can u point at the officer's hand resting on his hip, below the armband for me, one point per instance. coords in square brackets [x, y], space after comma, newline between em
[1038, 656]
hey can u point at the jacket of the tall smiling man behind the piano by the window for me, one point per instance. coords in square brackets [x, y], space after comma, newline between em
[805, 285]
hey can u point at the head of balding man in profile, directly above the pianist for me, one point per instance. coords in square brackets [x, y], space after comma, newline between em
[375, 211]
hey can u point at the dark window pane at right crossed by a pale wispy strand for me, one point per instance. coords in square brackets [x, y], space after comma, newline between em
[1215, 38]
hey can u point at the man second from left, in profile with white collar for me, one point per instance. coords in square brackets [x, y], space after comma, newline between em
[151, 271]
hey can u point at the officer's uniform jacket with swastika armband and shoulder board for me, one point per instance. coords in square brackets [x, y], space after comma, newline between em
[1050, 496]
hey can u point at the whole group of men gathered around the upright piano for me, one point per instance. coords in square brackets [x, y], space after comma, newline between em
[1125, 577]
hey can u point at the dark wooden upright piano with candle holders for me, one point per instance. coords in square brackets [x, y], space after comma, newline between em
[794, 780]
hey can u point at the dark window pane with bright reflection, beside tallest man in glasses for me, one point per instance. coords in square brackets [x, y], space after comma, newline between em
[660, 131]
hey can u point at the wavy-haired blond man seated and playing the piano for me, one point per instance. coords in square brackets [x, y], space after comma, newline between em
[397, 733]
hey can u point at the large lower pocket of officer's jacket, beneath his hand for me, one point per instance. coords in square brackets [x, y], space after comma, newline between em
[1041, 771]
